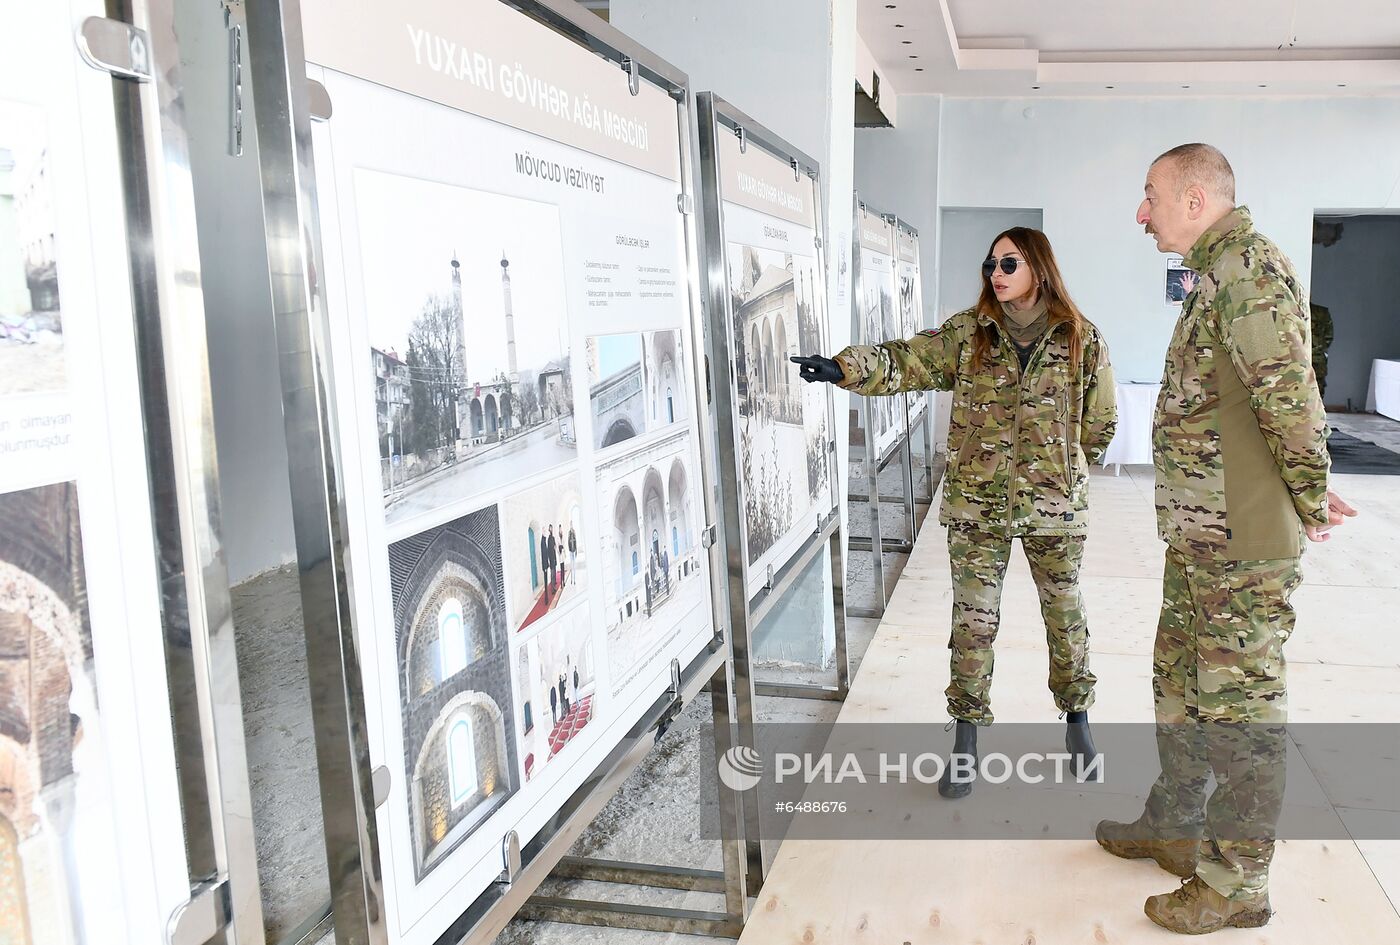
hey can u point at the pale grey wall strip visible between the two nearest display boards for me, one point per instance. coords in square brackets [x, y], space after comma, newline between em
[243, 345]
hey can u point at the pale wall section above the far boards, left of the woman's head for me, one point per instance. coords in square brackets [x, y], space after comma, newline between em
[897, 171]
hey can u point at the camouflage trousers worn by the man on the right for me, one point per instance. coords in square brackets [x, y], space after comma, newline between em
[1221, 698]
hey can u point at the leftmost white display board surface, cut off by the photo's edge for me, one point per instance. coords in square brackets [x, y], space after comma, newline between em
[92, 846]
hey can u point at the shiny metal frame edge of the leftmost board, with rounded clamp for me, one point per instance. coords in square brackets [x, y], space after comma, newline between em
[138, 45]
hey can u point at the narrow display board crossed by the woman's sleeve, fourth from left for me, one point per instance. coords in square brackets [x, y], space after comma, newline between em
[880, 317]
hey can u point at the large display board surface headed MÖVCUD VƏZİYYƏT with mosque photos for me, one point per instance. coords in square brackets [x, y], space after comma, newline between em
[506, 271]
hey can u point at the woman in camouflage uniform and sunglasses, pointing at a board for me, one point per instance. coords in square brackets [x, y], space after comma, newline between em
[1032, 408]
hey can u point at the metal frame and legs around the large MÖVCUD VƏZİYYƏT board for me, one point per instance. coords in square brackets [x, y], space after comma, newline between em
[349, 797]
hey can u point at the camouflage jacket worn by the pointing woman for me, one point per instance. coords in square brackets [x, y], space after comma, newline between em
[1020, 446]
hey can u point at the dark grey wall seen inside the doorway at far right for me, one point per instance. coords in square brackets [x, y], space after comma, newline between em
[1359, 281]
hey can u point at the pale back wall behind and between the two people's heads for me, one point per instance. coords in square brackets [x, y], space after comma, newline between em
[1083, 162]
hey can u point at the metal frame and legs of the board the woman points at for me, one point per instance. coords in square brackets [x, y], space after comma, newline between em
[716, 117]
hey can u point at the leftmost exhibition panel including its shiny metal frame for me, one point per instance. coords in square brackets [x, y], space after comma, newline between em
[122, 775]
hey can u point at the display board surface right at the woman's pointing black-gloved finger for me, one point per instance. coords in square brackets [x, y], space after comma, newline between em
[776, 309]
